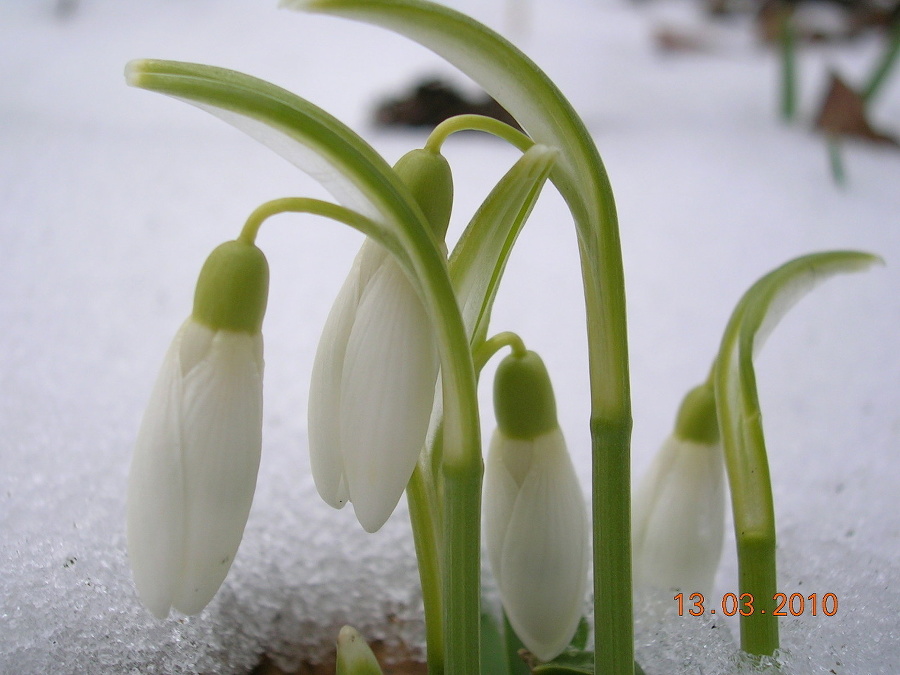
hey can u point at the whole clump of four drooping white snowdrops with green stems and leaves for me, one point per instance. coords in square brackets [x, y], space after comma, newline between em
[407, 310]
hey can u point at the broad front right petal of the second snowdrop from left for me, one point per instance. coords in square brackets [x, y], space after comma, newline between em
[387, 393]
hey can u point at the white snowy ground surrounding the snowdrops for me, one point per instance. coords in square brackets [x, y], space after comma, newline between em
[110, 199]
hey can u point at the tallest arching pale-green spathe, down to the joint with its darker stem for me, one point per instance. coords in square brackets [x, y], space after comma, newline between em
[538, 105]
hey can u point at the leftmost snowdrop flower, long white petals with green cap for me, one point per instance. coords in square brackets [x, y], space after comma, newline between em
[195, 462]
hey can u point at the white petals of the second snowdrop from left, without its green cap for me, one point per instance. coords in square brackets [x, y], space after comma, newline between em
[372, 389]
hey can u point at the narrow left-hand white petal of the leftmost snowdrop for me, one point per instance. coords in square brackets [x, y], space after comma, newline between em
[155, 508]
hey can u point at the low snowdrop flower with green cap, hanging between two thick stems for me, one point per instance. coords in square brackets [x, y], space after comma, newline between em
[535, 518]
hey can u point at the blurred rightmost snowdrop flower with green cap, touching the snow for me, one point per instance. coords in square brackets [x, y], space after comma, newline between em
[678, 513]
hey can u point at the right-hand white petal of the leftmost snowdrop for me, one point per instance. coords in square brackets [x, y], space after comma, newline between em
[221, 442]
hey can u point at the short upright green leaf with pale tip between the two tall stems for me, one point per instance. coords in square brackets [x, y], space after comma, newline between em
[479, 258]
